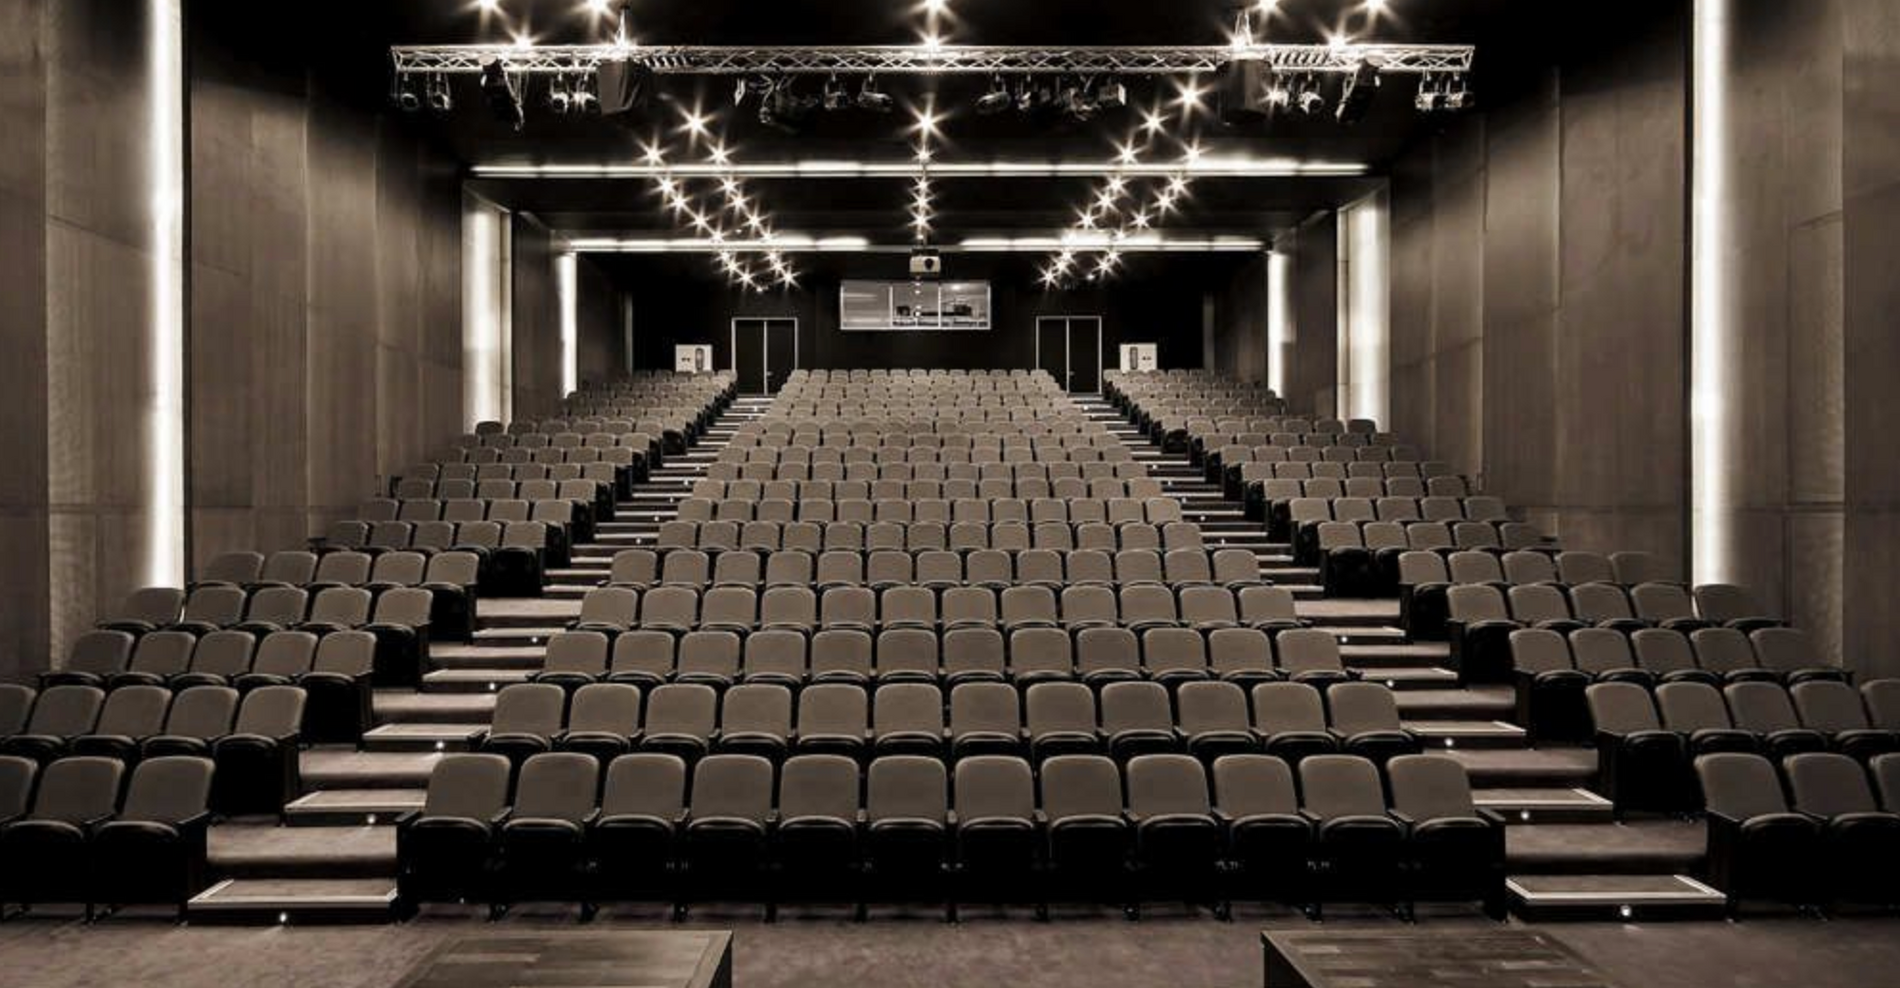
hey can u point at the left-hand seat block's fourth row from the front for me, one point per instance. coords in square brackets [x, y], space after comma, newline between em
[170, 641]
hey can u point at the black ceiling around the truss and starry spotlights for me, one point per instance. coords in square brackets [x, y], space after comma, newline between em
[352, 50]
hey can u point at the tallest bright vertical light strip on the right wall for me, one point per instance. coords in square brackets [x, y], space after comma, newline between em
[1711, 318]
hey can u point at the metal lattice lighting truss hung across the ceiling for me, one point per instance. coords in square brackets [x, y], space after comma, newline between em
[936, 60]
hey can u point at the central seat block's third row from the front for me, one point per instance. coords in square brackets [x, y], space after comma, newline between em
[1093, 656]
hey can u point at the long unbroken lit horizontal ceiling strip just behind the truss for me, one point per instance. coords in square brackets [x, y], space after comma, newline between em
[1204, 168]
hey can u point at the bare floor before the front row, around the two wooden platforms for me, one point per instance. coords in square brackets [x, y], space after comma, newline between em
[917, 951]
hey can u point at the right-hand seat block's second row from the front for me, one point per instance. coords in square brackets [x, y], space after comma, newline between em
[1646, 742]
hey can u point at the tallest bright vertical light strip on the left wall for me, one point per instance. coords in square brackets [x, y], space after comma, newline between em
[164, 415]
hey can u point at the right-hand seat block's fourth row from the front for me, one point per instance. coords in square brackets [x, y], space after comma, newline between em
[1481, 618]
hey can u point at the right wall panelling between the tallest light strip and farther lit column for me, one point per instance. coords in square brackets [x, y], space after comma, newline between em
[1538, 297]
